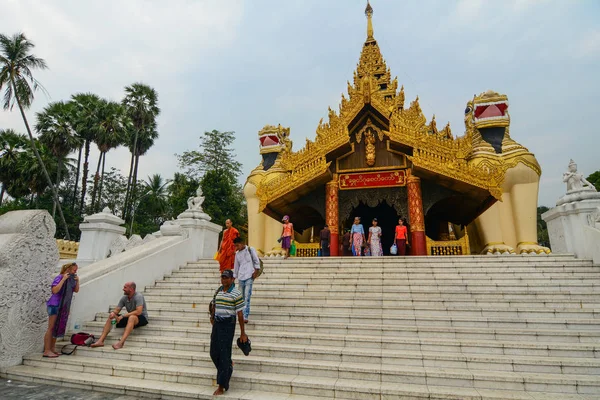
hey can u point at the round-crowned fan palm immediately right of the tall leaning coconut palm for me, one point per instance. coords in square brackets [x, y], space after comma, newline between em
[56, 130]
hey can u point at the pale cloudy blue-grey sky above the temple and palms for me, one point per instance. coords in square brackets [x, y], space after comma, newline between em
[237, 65]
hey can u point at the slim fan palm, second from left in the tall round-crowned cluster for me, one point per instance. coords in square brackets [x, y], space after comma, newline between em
[87, 122]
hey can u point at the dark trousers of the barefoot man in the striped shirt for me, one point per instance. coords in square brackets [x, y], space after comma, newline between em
[221, 341]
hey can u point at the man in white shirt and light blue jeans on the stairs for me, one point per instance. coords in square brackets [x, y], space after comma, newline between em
[245, 269]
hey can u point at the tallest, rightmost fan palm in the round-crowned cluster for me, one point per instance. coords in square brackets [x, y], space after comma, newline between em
[141, 103]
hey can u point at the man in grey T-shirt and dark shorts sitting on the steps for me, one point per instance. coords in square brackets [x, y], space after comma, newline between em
[136, 315]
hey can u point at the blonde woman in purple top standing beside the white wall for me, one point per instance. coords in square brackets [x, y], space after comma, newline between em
[59, 304]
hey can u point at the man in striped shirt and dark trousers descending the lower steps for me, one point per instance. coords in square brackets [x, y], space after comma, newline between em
[229, 303]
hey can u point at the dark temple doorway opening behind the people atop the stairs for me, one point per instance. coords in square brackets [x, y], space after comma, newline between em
[387, 219]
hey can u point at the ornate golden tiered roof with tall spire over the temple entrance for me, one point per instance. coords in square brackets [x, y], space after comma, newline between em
[436, 152]
